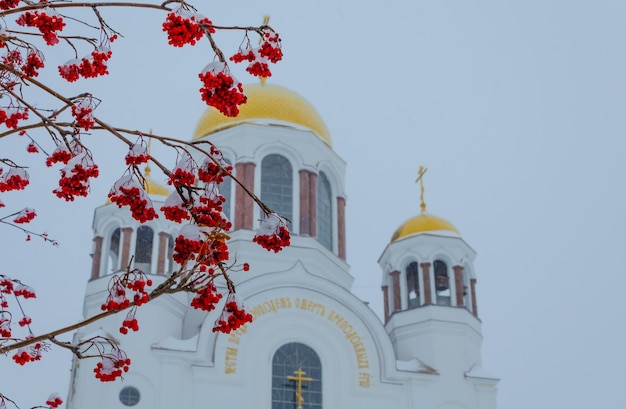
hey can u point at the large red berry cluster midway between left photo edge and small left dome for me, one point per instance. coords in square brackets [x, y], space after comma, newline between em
[75, 176]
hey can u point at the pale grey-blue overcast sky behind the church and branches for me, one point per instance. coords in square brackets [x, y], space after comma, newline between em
[517, 110]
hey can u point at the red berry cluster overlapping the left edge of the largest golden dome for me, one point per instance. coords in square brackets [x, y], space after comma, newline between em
[220, 90]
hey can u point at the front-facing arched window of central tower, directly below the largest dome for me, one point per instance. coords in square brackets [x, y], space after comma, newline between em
[277, 185]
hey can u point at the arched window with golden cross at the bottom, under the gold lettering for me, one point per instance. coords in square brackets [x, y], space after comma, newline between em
[296, 375]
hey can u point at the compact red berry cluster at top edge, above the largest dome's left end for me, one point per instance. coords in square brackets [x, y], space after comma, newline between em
[183, 27]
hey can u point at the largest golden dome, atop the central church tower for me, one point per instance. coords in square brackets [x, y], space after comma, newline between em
[267, 102]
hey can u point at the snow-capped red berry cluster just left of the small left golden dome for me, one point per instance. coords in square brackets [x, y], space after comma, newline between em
[127, 192]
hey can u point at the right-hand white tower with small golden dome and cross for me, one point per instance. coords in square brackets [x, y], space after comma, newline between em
[430, 303]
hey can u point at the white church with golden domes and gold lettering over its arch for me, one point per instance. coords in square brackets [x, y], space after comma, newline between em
[312, 344]
